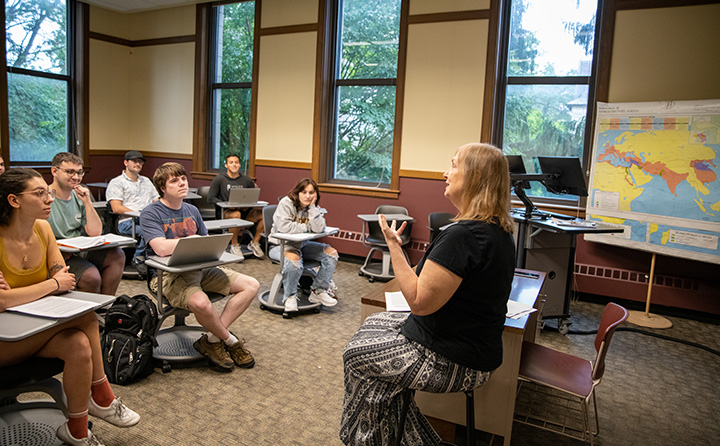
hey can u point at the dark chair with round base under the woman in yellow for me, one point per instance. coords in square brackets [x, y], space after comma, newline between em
[31, 422]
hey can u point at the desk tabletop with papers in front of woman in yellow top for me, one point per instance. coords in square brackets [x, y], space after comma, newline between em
[17, 326]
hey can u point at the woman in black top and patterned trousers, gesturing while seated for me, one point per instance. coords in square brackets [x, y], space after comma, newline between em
[452, 339]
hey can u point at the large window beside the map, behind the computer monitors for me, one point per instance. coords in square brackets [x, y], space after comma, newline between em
[549, 80]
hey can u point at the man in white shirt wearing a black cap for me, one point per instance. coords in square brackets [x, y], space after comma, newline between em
[131, 191]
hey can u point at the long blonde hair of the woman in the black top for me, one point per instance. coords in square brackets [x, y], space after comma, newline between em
[486, 185]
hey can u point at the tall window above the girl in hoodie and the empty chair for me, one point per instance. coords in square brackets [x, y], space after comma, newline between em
[362, 124]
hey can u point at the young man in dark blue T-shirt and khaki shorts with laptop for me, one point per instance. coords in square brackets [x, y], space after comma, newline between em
[170, 218]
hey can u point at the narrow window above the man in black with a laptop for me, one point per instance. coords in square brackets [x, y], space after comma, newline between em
[231, 69]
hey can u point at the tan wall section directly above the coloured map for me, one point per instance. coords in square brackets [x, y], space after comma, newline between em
[666, 54]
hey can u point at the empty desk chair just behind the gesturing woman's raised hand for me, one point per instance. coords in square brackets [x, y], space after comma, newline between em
[373, 238]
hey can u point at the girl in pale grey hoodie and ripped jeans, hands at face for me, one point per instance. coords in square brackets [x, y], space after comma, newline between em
[296, 213]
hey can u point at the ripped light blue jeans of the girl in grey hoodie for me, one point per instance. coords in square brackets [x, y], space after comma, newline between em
[292, 270]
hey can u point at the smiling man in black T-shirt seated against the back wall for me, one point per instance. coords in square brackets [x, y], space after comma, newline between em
[220, 191]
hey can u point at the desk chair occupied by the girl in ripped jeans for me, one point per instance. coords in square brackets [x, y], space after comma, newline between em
[273, 298]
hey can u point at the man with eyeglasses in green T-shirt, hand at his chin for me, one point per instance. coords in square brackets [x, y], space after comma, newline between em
[73, 215]
